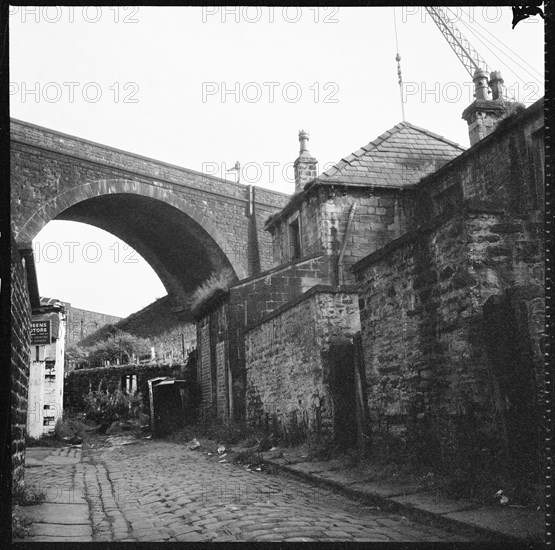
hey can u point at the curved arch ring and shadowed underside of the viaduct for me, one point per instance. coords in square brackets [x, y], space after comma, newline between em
[178, 241]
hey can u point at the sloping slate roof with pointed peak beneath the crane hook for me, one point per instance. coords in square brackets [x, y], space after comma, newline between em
[398, 158]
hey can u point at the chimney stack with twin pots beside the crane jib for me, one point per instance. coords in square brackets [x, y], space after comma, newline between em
[484, 114]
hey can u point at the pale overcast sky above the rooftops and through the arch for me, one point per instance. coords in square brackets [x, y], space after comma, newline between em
[205, 87]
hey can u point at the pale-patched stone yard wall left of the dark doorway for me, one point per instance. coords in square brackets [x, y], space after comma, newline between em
[287, 377]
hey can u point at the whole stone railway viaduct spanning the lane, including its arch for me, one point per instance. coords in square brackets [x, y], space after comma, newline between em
[185, 224]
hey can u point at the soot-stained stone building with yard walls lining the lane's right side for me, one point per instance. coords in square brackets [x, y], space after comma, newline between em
[411, 240]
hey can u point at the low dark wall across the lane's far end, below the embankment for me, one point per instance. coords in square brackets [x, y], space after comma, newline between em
[78, 383]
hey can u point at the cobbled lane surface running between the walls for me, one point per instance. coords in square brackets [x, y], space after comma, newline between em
[161, 491]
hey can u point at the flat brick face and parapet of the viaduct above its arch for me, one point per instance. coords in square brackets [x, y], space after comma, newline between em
[45, 163]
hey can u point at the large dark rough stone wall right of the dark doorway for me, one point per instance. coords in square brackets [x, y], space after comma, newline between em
[424, 339]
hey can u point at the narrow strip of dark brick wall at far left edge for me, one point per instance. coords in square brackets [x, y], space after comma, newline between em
[20, 362]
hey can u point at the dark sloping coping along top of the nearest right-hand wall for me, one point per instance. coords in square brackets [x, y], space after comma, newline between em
[469, 206]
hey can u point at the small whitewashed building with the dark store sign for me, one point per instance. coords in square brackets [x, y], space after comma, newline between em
[46, 375]
